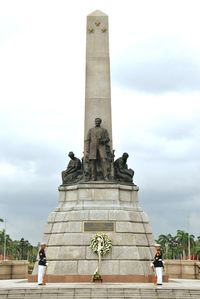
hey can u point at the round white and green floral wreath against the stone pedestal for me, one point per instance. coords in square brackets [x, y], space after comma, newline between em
[106, 246]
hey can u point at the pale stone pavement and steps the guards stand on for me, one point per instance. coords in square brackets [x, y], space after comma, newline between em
[174, 289]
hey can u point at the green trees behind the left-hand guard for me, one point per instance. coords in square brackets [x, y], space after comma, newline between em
[17, 249]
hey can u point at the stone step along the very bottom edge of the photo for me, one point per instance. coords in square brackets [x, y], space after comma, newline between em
[99, 293]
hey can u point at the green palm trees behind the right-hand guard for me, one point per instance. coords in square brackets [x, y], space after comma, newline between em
[181, 246]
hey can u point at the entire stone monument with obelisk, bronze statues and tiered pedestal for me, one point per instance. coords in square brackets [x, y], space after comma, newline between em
[98, 194]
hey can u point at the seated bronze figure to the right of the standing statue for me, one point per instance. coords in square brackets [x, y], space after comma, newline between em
[121, 171]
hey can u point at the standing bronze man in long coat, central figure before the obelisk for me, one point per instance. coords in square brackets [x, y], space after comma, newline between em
[96, 157]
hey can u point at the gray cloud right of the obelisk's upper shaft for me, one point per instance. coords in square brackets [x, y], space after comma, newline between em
[160, 65]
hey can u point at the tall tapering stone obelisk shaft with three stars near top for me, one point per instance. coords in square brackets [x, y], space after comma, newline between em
[97, 87]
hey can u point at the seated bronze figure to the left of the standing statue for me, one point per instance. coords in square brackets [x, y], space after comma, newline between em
[73, 173]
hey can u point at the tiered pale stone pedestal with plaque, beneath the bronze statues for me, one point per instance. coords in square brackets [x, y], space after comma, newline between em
[89, 208]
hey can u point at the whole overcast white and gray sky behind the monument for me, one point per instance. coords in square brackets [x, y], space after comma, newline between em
[155, 73]
